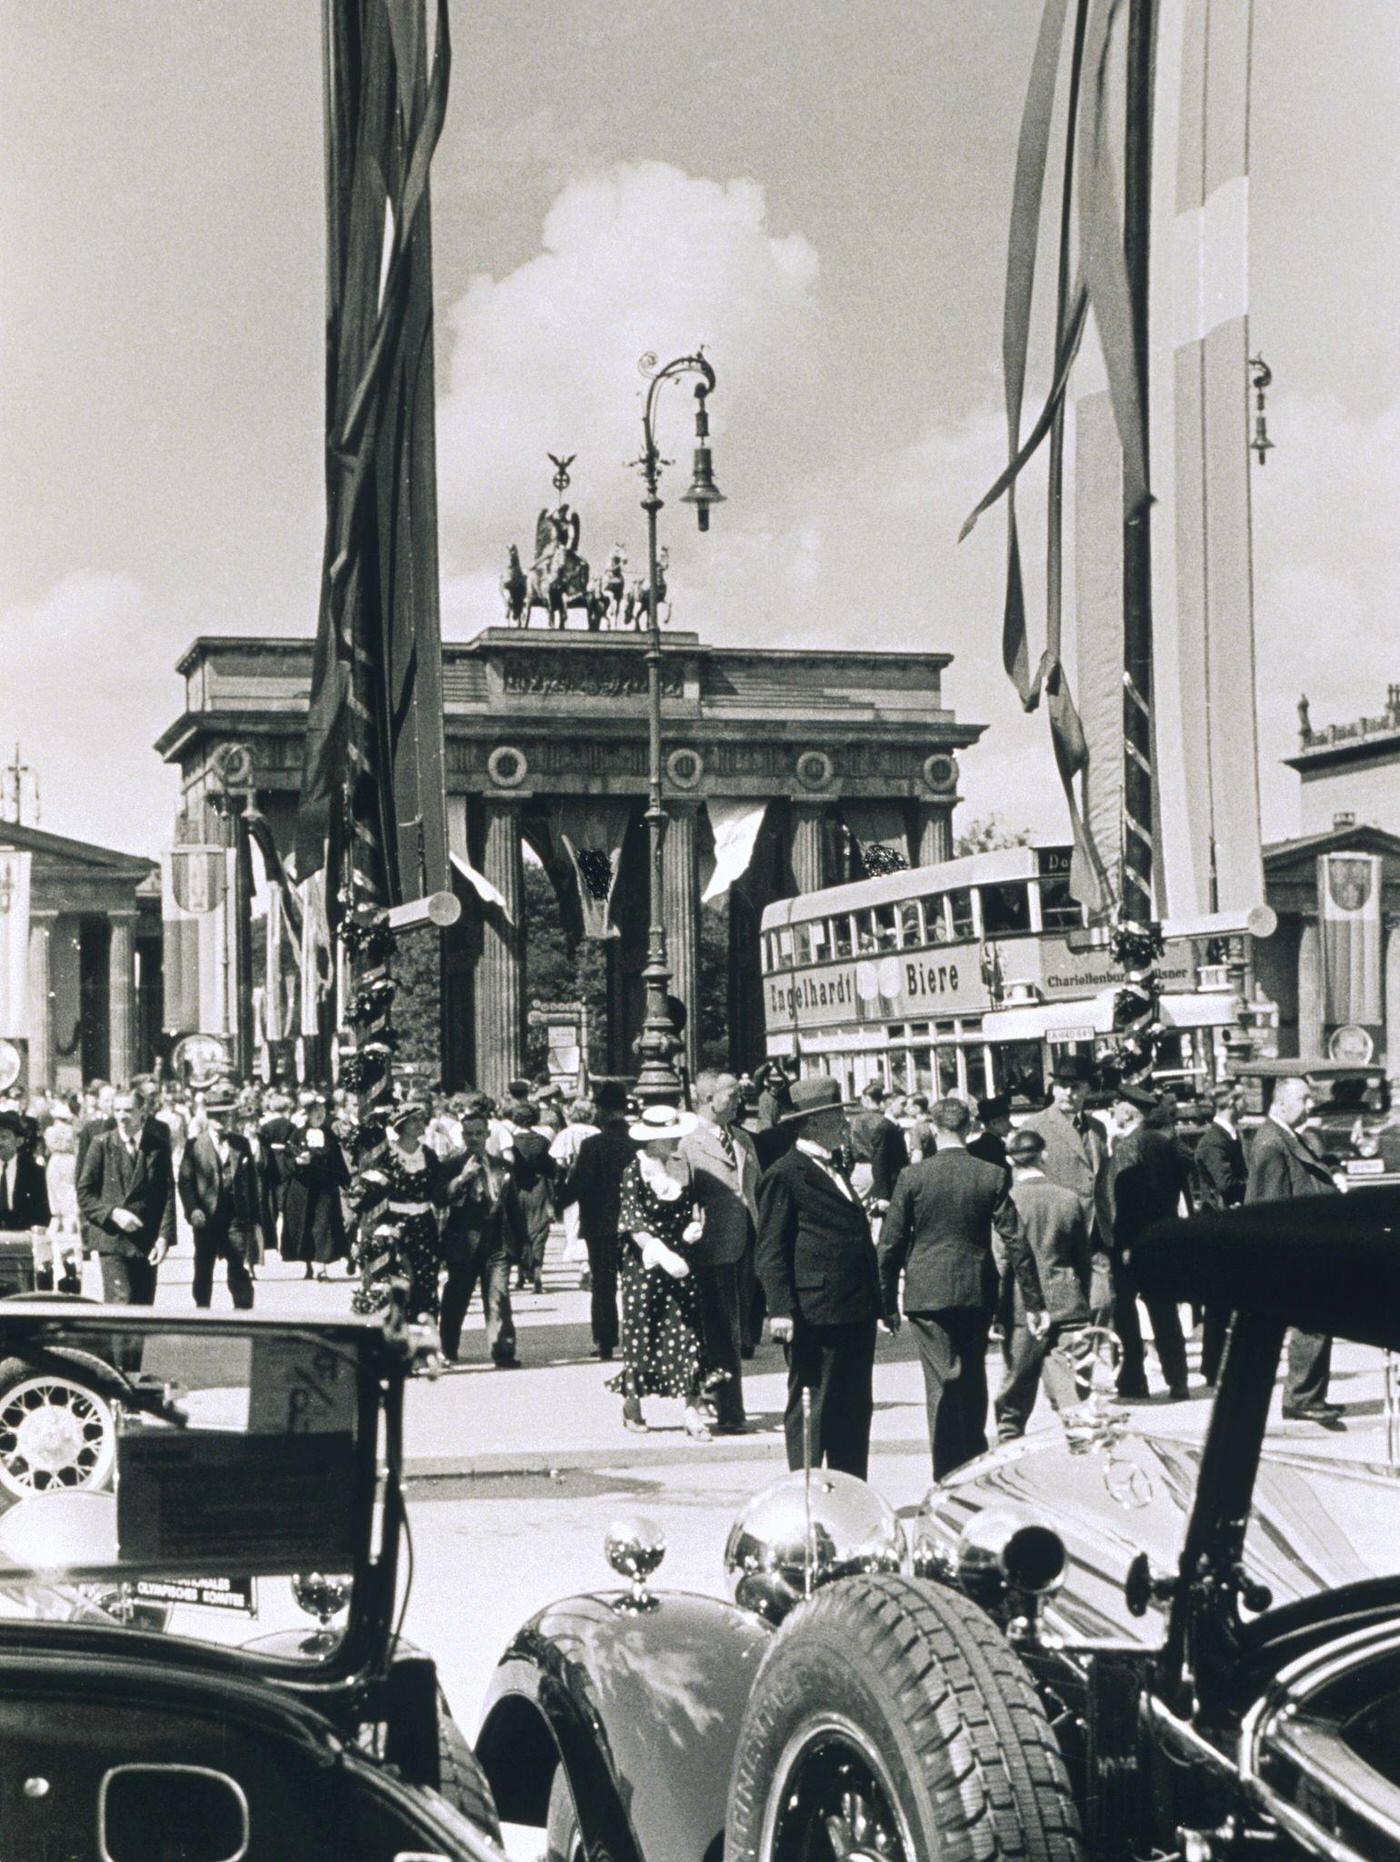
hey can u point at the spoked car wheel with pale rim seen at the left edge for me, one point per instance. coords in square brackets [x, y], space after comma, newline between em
[57, 1433]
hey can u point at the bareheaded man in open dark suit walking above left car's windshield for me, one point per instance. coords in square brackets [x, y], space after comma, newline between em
[128, 1200]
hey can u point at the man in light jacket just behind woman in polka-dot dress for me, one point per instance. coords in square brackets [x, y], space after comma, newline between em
[725, 1168]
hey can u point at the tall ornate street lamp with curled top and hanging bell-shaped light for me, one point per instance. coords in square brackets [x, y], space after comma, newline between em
[658, 1081]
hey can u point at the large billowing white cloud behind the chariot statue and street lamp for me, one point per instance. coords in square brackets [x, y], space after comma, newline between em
[545, 360]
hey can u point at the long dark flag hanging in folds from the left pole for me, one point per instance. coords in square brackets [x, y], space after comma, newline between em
[375, 731]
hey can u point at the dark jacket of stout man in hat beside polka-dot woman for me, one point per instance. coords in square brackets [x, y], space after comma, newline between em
[814, 1254]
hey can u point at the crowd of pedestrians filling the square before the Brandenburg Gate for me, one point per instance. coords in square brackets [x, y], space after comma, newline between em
[690, 1226]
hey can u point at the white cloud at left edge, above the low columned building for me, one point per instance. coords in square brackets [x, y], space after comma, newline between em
[87, 690]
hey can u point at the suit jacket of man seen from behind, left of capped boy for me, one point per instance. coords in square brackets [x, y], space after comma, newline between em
[939, 1230]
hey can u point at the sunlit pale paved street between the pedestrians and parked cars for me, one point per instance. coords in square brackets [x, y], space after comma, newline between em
[517, 1476]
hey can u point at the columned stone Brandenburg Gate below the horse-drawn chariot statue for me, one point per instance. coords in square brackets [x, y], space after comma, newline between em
[785, 772]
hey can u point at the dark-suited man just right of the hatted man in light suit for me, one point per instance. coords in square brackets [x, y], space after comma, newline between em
[1148, 1183]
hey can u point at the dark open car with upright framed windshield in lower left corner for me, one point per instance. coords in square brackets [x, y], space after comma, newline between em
[150, 1705]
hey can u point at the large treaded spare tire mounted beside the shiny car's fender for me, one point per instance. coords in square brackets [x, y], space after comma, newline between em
[895, 1720]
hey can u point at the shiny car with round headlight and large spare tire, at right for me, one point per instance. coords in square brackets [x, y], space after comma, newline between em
[1090, 1645]
